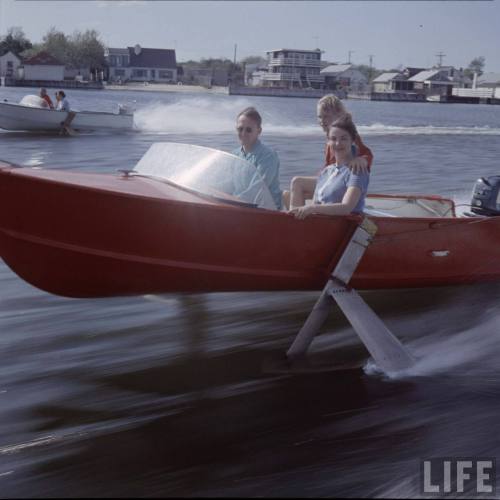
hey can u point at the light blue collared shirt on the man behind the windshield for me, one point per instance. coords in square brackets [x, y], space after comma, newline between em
[267, 163]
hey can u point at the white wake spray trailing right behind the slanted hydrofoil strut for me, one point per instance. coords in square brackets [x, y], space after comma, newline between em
[466, 343]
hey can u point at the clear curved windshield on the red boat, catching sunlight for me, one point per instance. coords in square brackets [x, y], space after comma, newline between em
[207, 171]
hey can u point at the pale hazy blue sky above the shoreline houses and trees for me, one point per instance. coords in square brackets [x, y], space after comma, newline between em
[395, 33]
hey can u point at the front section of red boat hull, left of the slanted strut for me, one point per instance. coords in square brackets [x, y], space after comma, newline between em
[88, 235]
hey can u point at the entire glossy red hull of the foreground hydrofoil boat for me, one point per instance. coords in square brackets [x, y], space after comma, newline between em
[97, 235]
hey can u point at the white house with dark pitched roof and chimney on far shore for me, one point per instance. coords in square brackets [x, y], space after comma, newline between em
[141, 65]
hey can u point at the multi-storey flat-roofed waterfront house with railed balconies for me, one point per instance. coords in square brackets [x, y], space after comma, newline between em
[293, 68]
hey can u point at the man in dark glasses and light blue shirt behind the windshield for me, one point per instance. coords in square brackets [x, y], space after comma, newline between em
[265, 160]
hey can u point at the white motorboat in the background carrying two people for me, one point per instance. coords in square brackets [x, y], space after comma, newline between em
[31, 114]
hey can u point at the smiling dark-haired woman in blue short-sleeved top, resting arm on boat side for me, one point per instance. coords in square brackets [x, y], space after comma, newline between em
[338, 190]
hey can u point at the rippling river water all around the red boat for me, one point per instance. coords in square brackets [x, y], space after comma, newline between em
[170, 396]
